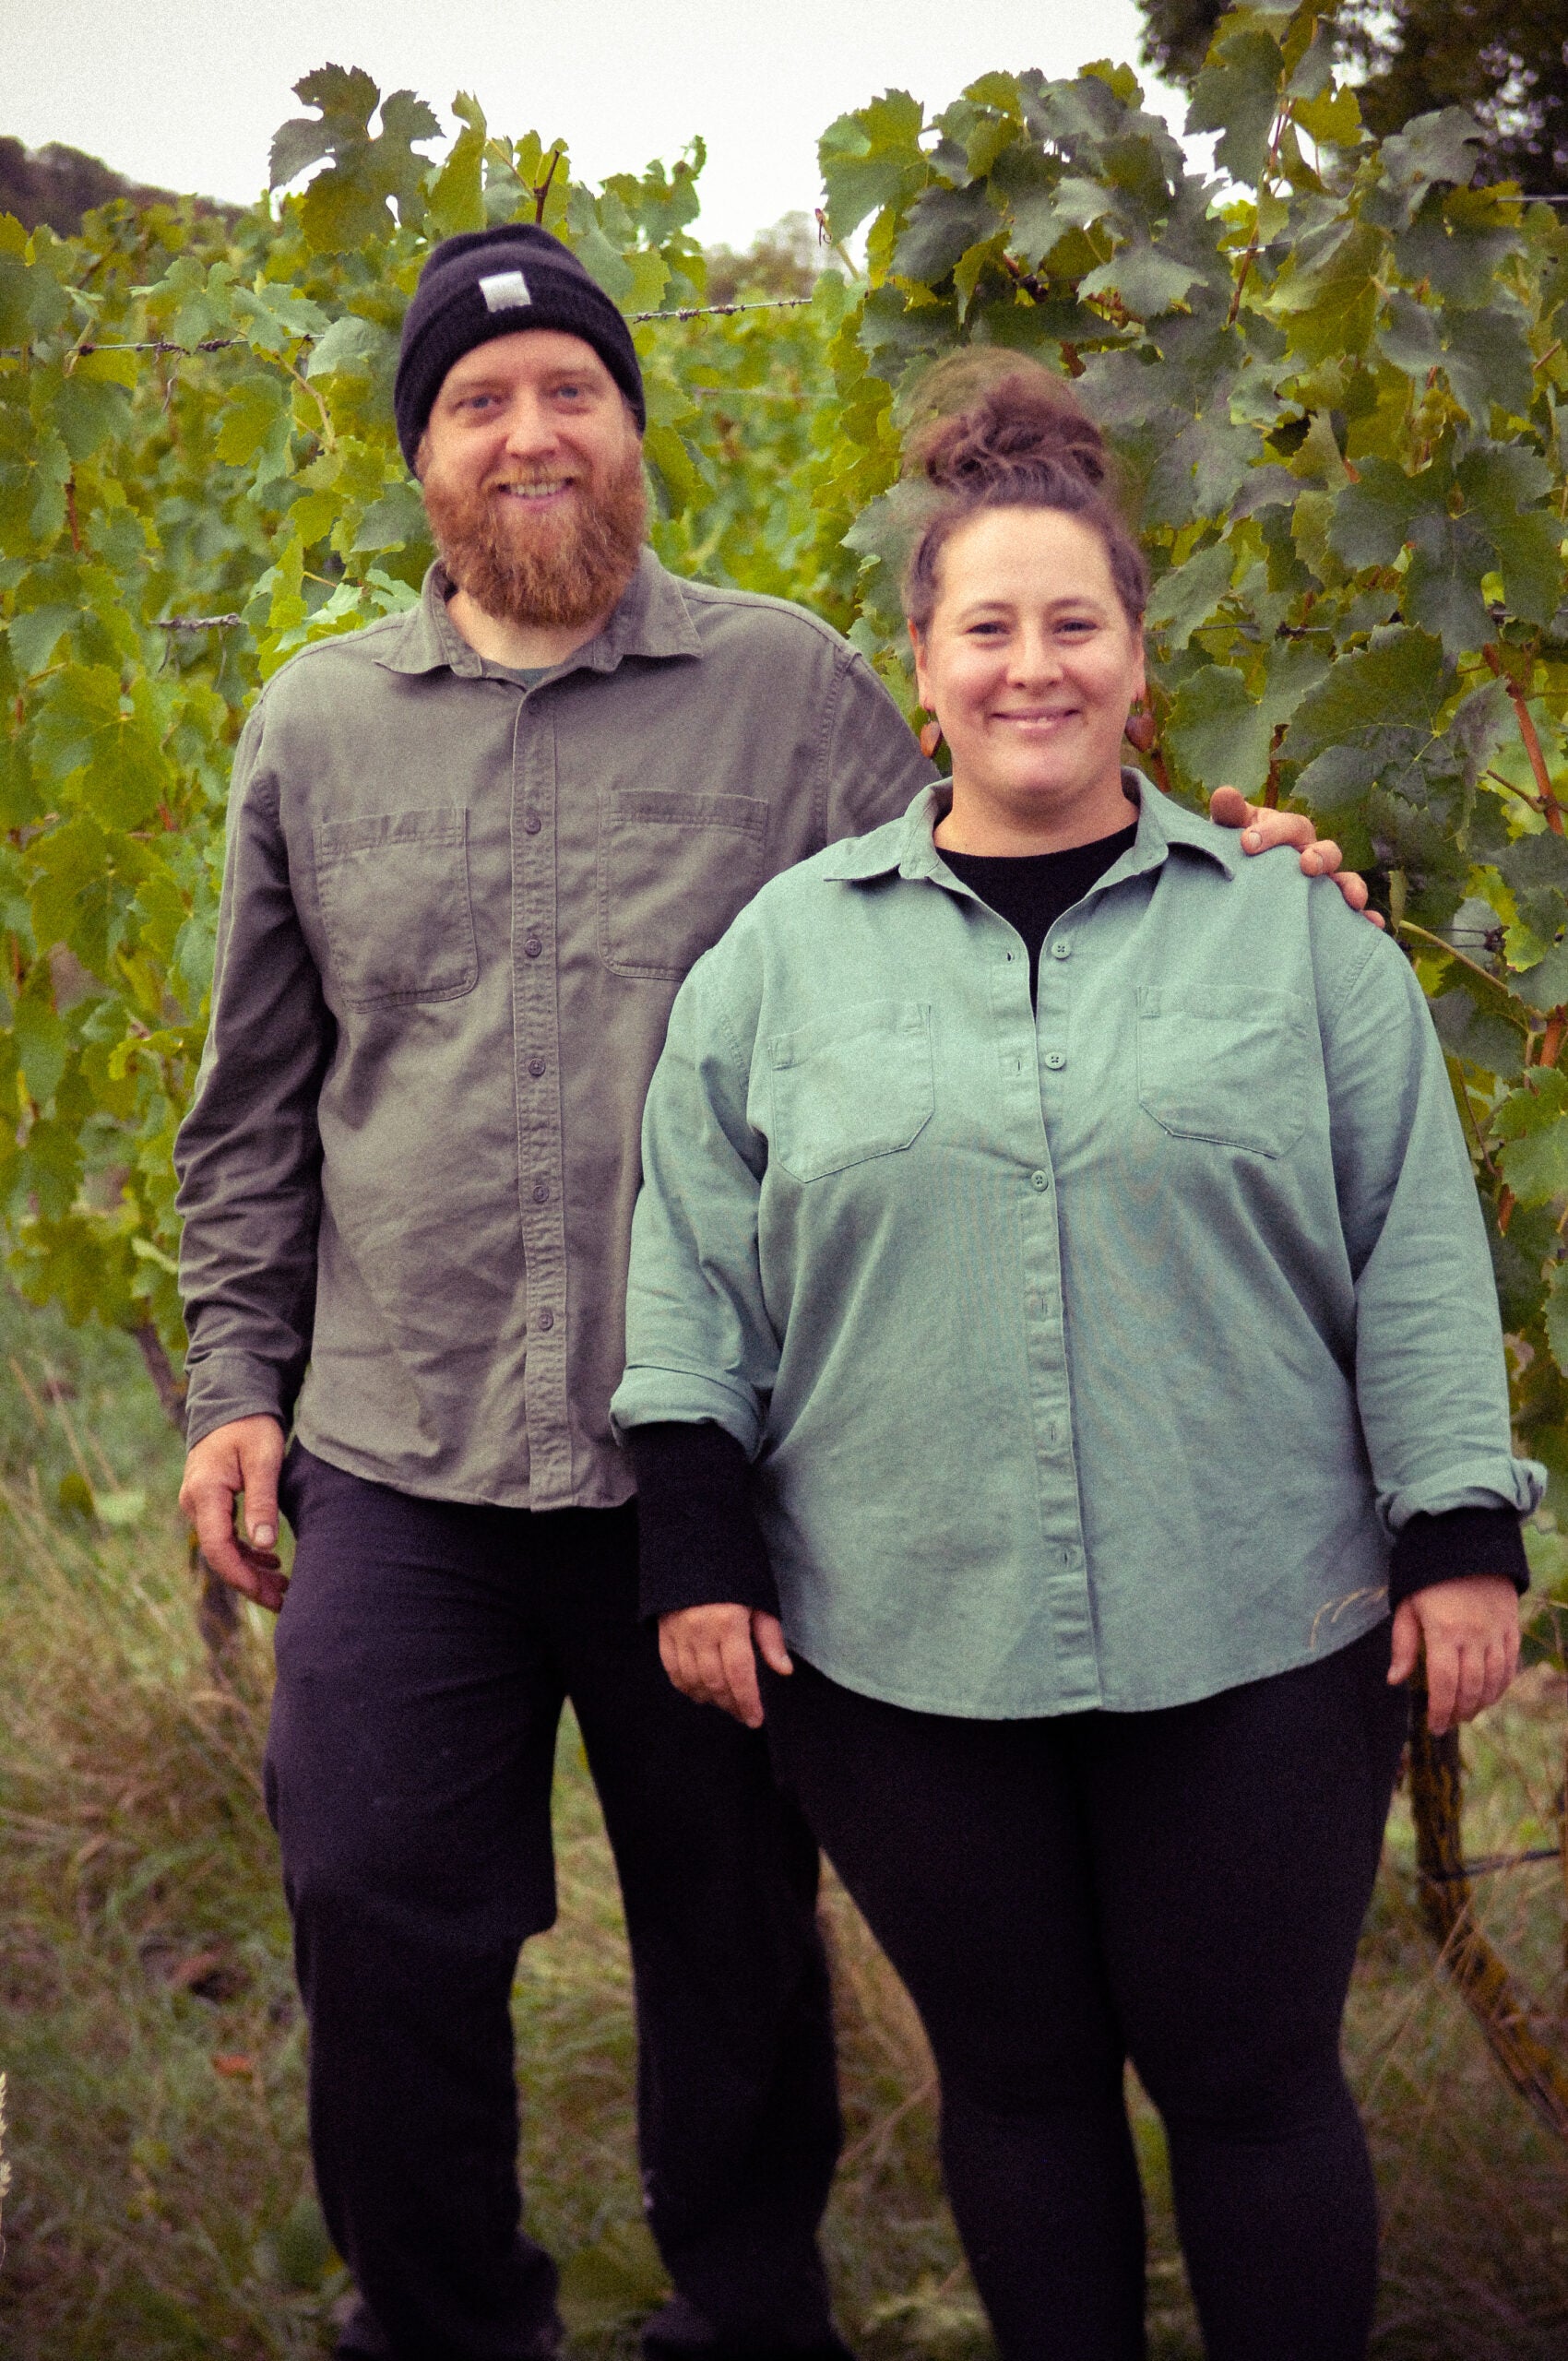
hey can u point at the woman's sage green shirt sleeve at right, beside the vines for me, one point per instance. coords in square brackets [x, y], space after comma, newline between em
[1430, 1363]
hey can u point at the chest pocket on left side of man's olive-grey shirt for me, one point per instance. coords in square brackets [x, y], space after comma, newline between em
[396, 905]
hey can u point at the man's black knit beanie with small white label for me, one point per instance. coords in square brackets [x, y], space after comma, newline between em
[495, 282]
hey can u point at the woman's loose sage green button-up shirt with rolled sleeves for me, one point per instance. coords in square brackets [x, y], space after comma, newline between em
[1092, 1352]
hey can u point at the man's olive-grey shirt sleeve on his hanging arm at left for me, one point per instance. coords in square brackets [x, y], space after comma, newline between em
[249, 1153]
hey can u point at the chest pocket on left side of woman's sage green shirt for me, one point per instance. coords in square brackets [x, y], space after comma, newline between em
[851, 1087]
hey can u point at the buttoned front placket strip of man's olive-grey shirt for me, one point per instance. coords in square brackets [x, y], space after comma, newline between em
[540, 1101]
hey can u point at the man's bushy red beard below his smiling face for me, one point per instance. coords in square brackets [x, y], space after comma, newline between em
[556, 573]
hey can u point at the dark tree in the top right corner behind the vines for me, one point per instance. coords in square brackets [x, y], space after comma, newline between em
[1503, 60]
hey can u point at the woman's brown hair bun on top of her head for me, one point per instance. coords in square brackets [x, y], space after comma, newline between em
[984, 417]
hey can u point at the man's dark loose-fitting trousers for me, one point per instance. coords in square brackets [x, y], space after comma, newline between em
[424, 1659]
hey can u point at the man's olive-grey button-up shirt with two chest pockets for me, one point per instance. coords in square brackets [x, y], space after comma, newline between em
[455, 917]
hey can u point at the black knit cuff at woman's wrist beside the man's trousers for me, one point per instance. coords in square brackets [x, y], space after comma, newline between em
[698, 1533]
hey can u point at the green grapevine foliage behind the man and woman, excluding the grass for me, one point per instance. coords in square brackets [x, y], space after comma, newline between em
[1338, 386]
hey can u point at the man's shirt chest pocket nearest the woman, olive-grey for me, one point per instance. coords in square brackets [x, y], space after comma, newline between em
[674, 872]
